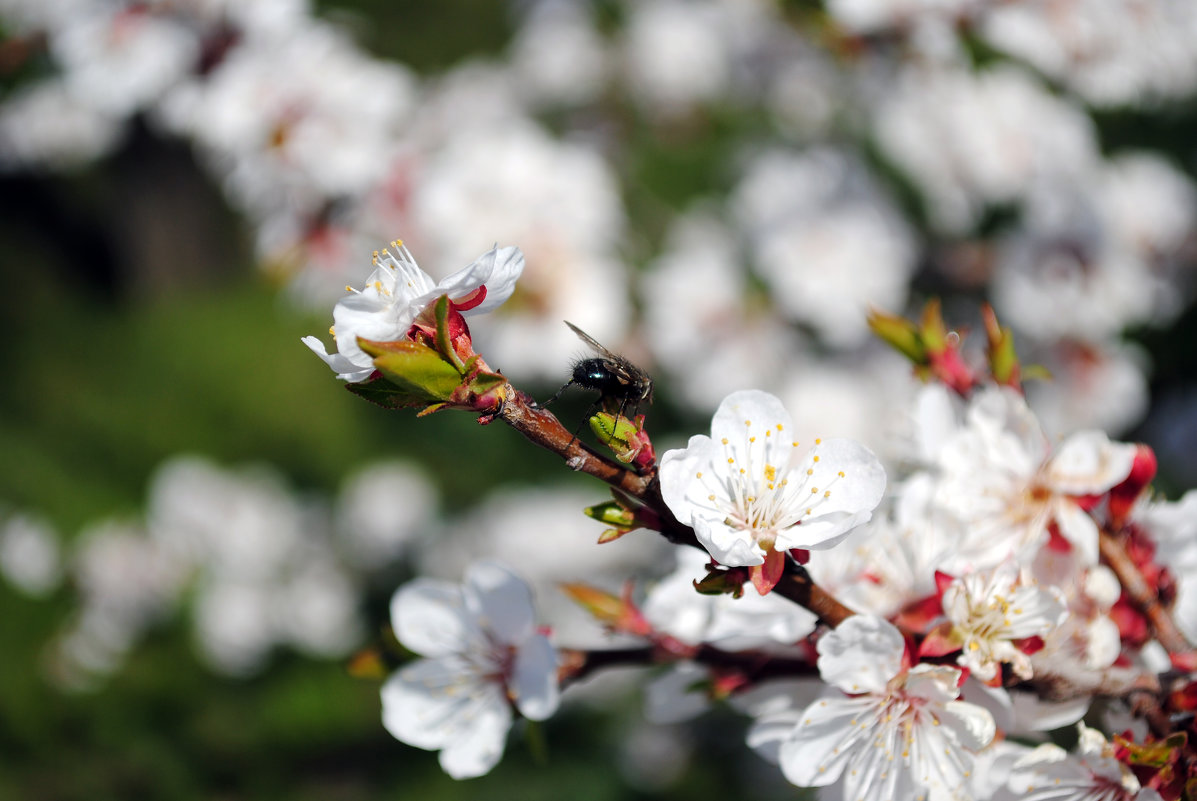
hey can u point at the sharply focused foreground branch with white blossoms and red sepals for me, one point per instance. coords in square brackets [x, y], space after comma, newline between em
[939, 616]
